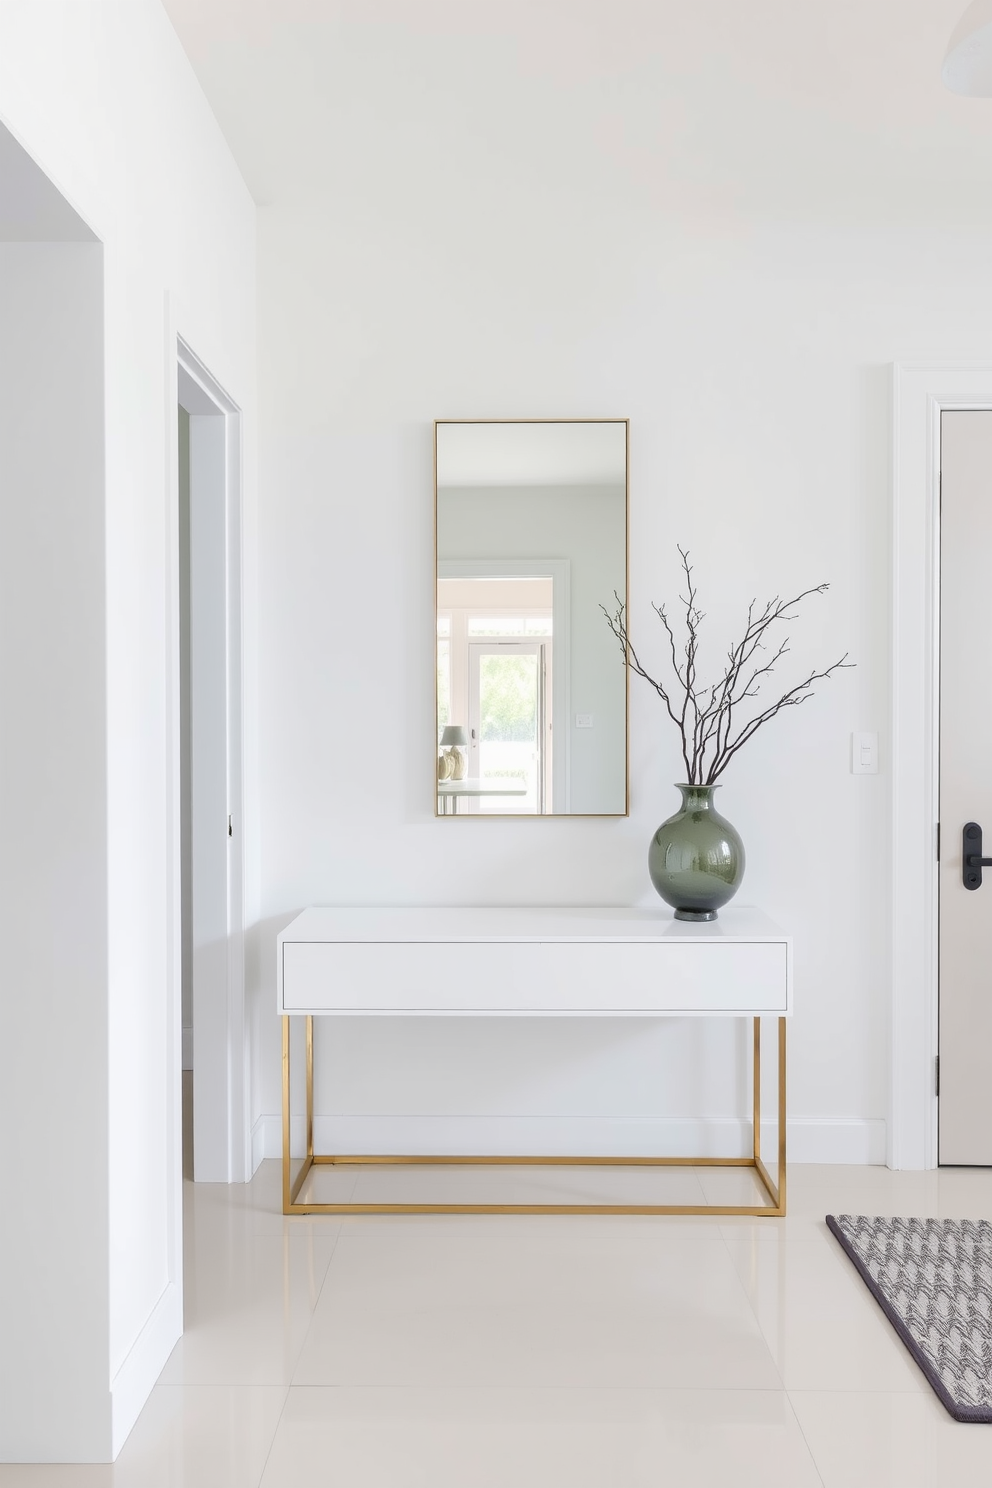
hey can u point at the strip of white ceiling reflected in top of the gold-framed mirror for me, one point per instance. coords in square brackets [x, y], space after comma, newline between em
[532, 455]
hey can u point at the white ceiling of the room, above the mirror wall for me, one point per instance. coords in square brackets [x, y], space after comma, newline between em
[718, 106]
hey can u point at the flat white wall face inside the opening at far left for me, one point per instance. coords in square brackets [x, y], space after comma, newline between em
[54, 1298]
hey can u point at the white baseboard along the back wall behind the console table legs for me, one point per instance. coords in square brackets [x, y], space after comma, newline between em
[810, 1139]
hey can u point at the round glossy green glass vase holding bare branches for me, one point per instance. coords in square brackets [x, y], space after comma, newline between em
[697, 858]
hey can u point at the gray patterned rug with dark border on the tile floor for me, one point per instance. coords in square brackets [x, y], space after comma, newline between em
[933, 1280]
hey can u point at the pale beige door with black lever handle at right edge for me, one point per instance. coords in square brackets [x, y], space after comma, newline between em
[964, 1121]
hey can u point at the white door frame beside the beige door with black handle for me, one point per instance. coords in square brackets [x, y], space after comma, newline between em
[921, 394]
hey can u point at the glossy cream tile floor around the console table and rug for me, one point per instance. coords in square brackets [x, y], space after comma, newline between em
[557, 1352]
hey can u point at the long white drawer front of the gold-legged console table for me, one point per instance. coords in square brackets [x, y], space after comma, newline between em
[512, 977]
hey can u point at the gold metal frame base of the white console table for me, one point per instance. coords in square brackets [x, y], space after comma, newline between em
[292, 1187]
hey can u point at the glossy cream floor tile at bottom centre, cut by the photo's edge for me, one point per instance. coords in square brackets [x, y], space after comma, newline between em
[576, 1438]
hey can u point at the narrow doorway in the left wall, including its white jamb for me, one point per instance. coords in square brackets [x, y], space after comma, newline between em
[207, 727]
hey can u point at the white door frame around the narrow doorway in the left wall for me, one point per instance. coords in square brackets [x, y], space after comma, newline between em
[221, 1045]
